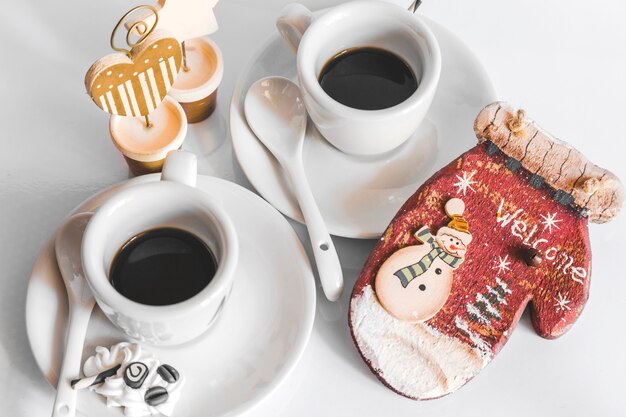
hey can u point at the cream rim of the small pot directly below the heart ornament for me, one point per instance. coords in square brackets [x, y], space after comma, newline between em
[159, 153]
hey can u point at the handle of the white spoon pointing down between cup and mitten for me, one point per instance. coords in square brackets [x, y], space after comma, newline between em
[328, 266]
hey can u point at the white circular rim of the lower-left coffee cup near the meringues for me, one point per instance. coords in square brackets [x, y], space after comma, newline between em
[98, 277]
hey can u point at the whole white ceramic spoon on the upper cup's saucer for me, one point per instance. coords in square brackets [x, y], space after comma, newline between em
[276, 114]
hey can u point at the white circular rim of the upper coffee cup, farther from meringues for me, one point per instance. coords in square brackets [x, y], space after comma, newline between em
[309, 81]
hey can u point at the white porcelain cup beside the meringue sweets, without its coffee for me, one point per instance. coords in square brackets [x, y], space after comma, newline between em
[171, 202]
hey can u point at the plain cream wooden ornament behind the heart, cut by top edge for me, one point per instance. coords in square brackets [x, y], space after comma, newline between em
[185, 19]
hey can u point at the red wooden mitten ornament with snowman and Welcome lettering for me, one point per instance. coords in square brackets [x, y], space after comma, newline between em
[430, 310]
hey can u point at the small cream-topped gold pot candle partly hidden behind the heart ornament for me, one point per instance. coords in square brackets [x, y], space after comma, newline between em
[196, 85]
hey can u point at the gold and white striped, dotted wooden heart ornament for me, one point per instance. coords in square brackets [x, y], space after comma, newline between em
[135, 85]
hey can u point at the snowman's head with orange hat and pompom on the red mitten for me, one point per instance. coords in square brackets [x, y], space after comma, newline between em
[455, 237]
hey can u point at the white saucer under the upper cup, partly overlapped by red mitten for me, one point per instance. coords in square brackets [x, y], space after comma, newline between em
[358, 197]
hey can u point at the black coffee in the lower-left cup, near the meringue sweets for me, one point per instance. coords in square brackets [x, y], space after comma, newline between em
[162, 266]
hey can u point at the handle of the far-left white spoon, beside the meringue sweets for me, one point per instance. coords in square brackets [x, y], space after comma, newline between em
[65, 400]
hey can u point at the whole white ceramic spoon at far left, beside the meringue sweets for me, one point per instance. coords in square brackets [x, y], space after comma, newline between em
[81, 302]
